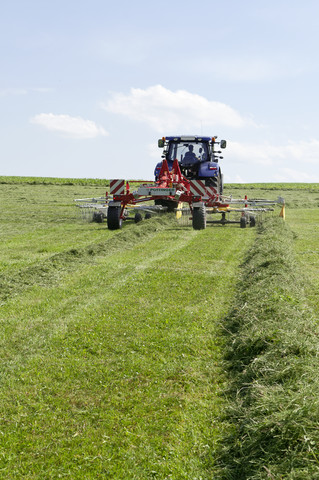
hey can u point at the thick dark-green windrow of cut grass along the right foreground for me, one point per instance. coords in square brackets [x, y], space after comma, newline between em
[271, 354]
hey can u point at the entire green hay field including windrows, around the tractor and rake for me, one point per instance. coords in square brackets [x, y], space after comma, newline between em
[124, 354]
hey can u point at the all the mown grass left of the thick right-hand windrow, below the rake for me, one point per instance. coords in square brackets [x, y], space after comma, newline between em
[110, 364]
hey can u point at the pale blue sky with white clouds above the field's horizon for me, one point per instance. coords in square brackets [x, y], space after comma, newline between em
[88, 86]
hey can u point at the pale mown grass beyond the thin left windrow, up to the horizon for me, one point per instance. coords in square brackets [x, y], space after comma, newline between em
[38, 221]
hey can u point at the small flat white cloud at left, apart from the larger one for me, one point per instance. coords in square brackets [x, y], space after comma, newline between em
[73, 127]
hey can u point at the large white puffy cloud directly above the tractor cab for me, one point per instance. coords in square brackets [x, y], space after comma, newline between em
[169, 112]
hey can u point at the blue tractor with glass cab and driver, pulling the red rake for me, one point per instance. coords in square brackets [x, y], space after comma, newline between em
[196, 156]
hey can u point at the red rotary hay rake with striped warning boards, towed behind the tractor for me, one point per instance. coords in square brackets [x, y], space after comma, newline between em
[190, 199]
